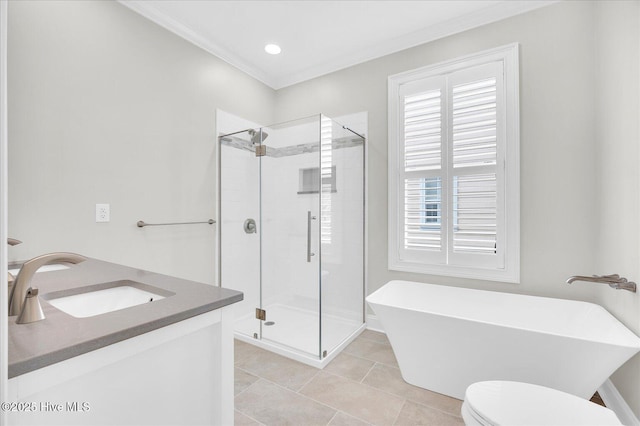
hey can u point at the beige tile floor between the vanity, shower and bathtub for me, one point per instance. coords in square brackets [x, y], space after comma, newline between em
[361, 386]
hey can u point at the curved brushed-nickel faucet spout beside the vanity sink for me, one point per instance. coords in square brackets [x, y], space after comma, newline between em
[22, 283]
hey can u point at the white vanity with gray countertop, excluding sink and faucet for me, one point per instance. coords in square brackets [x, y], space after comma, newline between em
[169, 362]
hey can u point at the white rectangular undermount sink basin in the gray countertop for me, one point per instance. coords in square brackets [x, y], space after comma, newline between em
[102, 301]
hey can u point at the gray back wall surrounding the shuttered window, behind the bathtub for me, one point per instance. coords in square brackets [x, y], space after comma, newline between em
[557, 141]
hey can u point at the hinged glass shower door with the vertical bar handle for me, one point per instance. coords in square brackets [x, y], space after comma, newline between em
[290, 236]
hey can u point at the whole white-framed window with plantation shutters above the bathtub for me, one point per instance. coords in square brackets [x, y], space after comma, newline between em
[454, 168]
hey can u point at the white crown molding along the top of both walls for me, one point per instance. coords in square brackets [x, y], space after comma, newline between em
[481, 17]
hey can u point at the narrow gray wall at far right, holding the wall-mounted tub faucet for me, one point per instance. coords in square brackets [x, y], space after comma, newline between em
[617, 135]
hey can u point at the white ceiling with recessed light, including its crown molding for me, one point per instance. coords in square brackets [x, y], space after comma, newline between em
[317, 37]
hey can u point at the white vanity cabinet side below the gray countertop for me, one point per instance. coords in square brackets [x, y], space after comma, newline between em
[181, 374]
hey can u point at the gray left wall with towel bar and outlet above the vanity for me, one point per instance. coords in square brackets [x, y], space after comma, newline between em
[107, 107]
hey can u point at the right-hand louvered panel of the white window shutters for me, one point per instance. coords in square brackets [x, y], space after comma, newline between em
[477, 132]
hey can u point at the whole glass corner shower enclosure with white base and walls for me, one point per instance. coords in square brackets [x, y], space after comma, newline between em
[292, 235]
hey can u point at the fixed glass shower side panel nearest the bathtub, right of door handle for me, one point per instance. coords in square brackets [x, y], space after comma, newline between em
[342, 234]
